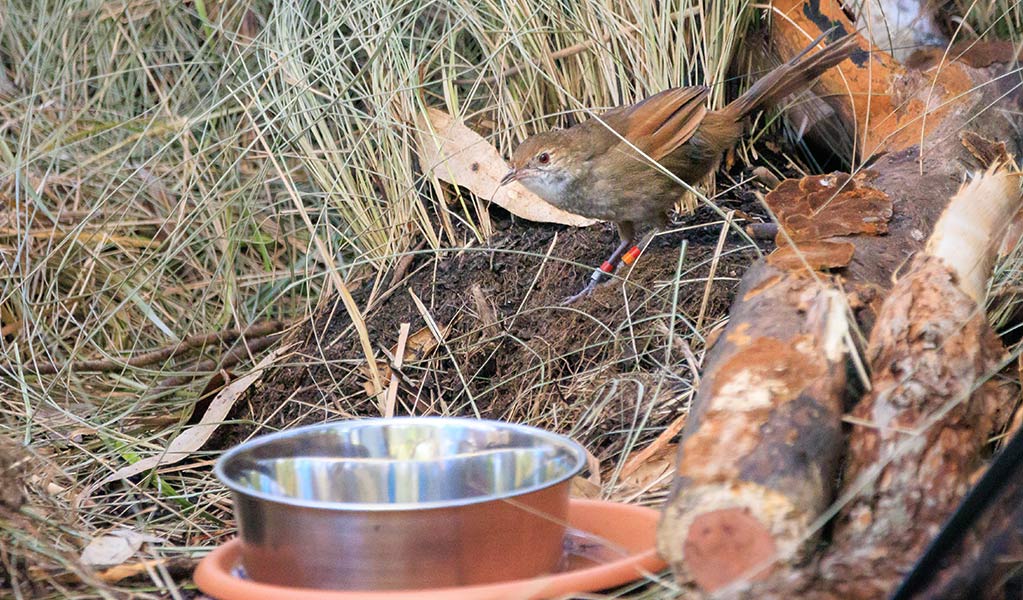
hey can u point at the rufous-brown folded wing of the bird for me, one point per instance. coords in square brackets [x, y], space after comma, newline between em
[663, 122]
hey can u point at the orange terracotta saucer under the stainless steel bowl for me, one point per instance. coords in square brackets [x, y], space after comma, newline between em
[625, 529]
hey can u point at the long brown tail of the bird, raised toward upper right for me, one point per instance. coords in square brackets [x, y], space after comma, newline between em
[802, 71]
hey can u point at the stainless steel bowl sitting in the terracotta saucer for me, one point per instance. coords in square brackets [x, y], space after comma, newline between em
[403, 503]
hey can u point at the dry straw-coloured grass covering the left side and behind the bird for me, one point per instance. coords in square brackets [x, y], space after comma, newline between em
[170, 170]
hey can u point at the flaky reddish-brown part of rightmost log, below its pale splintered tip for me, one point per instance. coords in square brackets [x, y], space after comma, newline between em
[918, 437]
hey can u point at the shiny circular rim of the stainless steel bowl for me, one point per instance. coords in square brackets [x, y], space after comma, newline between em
[555, 439]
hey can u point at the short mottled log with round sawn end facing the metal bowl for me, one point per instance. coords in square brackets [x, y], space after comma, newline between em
[760, 450]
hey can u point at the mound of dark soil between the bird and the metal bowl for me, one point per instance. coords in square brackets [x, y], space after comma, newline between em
[512, 352]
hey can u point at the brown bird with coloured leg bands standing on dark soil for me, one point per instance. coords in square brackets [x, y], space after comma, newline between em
[603, 168]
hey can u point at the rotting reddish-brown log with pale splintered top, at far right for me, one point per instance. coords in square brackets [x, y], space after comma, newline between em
[919, 436]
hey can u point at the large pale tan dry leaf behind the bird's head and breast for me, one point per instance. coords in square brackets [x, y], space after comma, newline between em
[458, 155]
